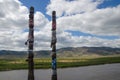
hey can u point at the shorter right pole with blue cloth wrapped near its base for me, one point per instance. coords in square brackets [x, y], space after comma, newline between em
[53, 46]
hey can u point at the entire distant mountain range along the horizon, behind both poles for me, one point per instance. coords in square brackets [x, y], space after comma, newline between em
[63, 52]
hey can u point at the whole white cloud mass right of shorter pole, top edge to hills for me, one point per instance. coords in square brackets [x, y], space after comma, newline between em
[83, 16]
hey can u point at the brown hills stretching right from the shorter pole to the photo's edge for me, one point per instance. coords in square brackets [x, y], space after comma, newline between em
[80, 51]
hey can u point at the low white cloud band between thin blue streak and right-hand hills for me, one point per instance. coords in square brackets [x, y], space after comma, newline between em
[67, 40]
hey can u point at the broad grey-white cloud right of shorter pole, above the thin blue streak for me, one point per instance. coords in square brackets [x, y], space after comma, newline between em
[99, 22]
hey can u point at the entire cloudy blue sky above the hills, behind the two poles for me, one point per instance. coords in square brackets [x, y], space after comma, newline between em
[90, 23]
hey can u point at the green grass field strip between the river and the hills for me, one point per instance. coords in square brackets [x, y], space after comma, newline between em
[45, 63]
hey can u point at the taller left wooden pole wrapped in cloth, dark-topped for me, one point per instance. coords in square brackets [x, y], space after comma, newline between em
[30, 43]
